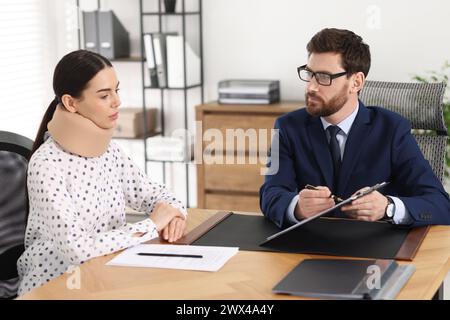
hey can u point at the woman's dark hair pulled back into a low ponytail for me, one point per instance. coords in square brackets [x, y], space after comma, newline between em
[72, 73]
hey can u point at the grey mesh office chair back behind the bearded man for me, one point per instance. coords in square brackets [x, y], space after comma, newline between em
[420, 103]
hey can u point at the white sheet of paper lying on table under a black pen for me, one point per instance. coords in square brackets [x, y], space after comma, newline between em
[213, 257]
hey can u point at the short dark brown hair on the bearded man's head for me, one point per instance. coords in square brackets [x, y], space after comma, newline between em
[354, 52]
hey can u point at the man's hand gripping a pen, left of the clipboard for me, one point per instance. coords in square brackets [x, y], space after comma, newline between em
[312, 201]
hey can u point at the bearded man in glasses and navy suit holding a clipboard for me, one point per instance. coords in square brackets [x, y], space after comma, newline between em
[341, 146]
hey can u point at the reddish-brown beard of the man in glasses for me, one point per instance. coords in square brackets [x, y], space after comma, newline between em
[320, 108]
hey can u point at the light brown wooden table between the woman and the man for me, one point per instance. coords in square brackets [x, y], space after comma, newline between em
[248, 275]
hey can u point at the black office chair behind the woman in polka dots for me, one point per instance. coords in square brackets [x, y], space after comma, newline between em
[14, 154]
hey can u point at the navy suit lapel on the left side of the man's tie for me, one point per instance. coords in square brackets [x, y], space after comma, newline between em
[320, 149]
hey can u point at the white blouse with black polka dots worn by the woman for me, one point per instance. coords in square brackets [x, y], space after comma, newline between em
[77, 210]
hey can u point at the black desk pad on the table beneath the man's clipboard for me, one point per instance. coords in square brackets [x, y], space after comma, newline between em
[336, 237]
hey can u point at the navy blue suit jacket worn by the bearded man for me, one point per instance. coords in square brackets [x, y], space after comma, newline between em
[379, 148]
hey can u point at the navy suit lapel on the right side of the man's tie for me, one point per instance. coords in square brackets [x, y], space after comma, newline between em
[356, 139]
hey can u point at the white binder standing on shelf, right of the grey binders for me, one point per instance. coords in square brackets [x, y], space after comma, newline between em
[175, 63]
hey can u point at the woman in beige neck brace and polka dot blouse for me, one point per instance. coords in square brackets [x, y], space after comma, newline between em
[79, 181]
